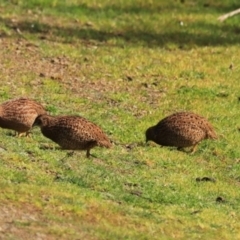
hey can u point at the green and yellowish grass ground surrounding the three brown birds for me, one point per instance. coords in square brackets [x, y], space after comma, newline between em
[123, 65]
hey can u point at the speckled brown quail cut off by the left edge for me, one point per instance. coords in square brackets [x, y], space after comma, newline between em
[20, 114]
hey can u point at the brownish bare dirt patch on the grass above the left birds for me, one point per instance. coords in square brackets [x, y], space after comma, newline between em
[21, 59]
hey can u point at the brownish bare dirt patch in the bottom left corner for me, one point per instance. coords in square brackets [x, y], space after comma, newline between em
[25, 222]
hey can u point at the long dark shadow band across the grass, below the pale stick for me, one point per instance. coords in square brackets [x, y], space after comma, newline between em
[196, 34]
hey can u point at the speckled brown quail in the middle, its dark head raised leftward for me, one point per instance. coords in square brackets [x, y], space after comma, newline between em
[72, 132]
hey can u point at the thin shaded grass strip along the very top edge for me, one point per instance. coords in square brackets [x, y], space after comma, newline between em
[142, 7]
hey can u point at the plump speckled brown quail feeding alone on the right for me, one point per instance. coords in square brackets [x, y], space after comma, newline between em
[182, 129]
